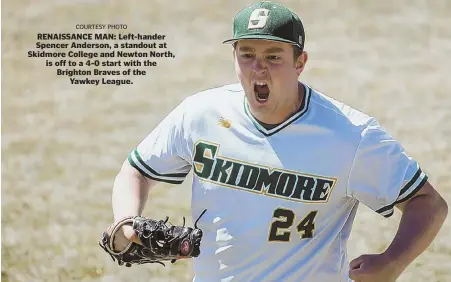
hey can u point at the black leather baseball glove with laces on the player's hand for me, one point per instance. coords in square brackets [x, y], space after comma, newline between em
[159, 241]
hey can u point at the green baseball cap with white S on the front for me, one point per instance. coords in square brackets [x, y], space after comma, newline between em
[270, 21]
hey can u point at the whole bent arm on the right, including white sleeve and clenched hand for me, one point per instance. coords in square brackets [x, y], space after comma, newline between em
[384, 176]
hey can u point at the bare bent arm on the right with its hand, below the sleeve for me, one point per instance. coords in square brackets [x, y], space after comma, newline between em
[422, 217]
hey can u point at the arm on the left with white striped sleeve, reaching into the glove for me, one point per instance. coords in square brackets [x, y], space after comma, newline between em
[162, 156]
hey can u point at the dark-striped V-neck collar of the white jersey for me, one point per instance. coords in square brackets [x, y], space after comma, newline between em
[268, 132]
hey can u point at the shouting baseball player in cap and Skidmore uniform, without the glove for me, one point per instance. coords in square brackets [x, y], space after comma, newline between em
[281, 169]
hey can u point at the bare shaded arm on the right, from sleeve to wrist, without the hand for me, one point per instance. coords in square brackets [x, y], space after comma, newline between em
[422, 217]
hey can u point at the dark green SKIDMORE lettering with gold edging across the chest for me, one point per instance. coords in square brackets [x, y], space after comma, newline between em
[290, 185]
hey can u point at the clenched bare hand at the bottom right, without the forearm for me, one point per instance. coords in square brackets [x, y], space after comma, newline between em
[369, 268]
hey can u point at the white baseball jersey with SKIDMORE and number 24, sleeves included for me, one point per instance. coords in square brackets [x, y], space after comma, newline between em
[280, 202]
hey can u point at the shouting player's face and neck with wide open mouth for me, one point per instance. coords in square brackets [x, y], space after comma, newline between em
[269, 75]
